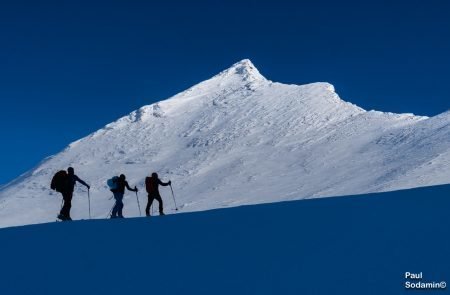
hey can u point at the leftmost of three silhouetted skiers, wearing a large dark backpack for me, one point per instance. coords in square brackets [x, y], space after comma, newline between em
[64, 183]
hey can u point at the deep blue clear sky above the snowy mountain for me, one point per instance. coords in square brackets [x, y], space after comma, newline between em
[67, 68]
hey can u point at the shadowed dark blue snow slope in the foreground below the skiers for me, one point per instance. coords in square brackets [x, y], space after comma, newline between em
[352, 245]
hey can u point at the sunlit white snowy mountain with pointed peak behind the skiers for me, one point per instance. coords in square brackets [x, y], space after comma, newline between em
[238, 139]
